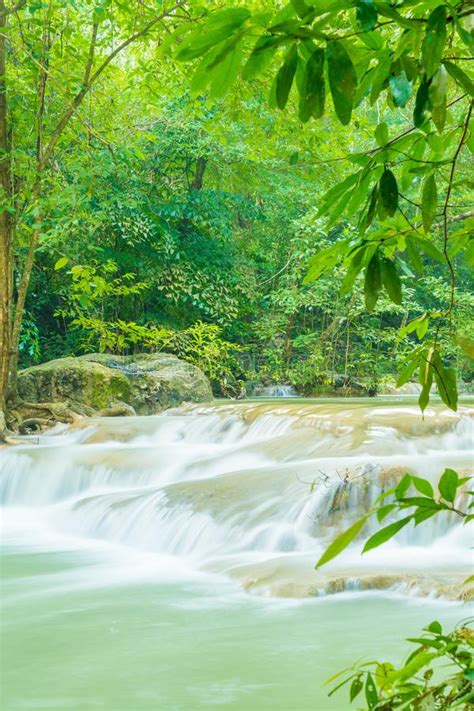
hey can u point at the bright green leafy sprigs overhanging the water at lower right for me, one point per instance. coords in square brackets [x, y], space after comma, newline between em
[417, 684]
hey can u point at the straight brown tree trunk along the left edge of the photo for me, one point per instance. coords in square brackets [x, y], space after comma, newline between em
[5, 226]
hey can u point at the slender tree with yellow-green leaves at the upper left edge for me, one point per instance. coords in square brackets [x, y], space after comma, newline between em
[53, 56]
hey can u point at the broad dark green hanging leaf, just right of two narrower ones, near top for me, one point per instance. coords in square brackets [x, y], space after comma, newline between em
[342, 80]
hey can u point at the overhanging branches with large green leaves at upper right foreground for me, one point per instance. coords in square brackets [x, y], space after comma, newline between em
[364, 52]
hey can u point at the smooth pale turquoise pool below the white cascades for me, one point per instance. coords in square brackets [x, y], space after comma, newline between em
[72, 640]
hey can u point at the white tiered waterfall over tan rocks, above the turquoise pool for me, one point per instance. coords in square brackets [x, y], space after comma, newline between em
[251, 491]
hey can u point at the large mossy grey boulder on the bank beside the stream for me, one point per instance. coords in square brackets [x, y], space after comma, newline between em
[96, 382]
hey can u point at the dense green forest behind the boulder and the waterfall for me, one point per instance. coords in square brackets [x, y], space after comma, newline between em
[146, 213]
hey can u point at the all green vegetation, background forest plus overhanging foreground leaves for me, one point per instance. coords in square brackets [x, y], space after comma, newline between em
[280, 193]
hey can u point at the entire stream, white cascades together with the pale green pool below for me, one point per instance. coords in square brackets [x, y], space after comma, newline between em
[167, 562]
